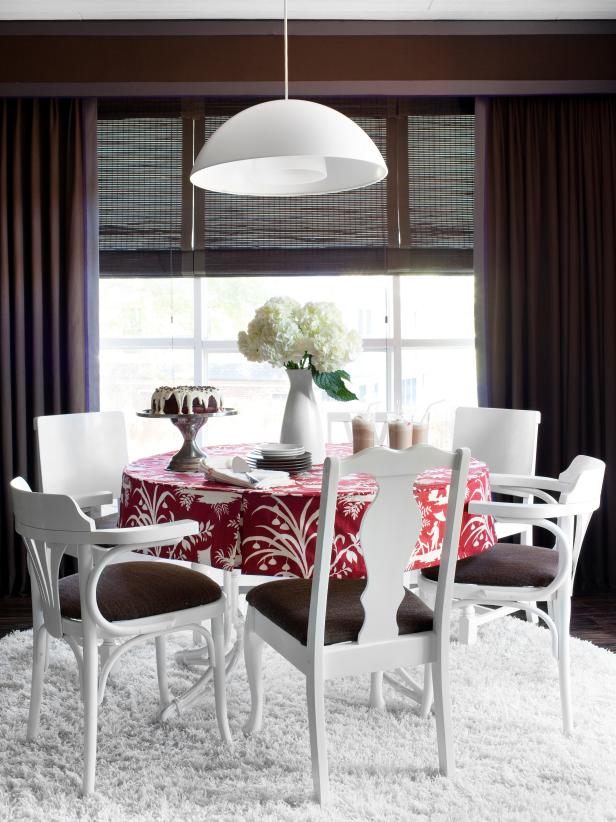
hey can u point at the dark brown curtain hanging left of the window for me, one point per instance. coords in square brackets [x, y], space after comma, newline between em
[45, 245]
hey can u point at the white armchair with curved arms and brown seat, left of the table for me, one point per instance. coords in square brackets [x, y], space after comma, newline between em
[106, 600]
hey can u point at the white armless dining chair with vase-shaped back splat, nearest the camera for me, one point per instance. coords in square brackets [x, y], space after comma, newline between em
[330, 628]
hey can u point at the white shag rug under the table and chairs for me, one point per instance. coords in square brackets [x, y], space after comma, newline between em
[513, 762]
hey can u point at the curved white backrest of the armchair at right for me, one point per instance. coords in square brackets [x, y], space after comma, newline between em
[585, 478]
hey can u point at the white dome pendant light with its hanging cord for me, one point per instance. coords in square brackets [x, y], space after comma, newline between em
[288, 148]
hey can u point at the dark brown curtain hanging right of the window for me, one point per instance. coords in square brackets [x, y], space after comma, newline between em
[547, 295]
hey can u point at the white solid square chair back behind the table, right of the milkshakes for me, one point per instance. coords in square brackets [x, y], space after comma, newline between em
[504, 438]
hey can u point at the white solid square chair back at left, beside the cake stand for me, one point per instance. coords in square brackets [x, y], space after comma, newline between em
[82, 453]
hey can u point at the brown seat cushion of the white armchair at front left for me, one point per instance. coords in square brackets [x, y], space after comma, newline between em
[133, 590]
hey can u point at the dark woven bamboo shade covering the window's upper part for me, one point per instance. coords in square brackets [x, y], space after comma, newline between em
[154, 223]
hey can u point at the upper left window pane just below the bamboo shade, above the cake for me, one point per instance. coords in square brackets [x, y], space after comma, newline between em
[139, 307]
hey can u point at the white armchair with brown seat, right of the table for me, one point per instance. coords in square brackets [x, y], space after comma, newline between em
[515, 577]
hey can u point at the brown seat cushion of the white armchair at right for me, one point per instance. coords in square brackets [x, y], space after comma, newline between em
[506, 565]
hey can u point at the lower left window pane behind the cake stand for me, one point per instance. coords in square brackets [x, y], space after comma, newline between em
[128, 378]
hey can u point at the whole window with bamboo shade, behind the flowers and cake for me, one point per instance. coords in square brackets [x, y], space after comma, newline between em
[401, 250]
